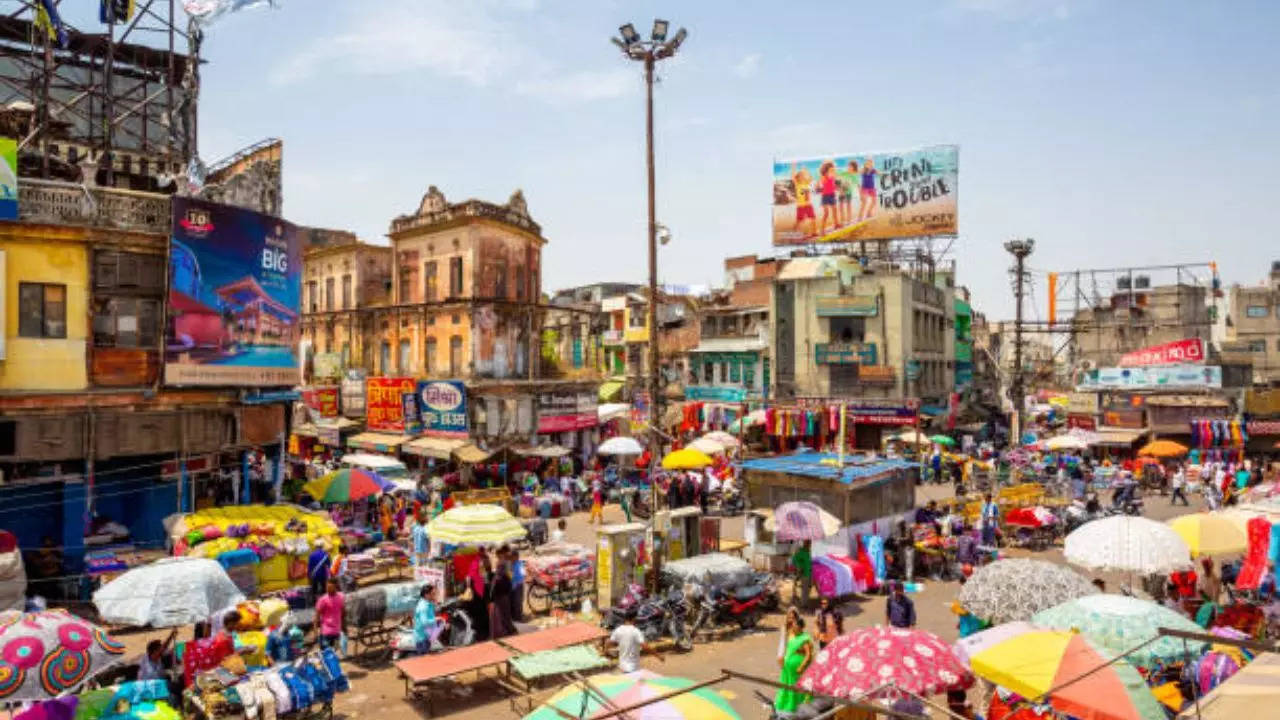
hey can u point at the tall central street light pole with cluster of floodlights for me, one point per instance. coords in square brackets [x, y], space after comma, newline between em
[650, 52]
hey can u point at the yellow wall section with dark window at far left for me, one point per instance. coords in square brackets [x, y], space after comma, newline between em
[45, 308]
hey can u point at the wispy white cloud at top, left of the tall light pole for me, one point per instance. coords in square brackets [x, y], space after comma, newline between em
[481, 43]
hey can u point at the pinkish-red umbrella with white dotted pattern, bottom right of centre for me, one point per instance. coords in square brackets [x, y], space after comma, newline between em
[870, 659]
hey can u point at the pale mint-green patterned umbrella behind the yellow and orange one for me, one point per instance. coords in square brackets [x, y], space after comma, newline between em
[1121, 623]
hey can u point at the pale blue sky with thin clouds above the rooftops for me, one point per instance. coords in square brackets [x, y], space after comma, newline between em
[1113, 134]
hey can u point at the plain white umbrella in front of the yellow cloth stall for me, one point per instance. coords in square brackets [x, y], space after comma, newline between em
[168, 594]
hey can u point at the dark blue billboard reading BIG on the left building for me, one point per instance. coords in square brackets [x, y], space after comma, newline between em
[235, 286]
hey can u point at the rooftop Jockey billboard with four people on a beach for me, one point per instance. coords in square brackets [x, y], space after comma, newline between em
[866, 197]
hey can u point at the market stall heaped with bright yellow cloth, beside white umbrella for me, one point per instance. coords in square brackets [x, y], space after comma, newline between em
[273, 541]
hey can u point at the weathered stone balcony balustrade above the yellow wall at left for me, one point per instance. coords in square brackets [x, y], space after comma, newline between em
[70, 204]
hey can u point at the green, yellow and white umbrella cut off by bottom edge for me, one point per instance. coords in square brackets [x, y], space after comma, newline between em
[578, 700]
